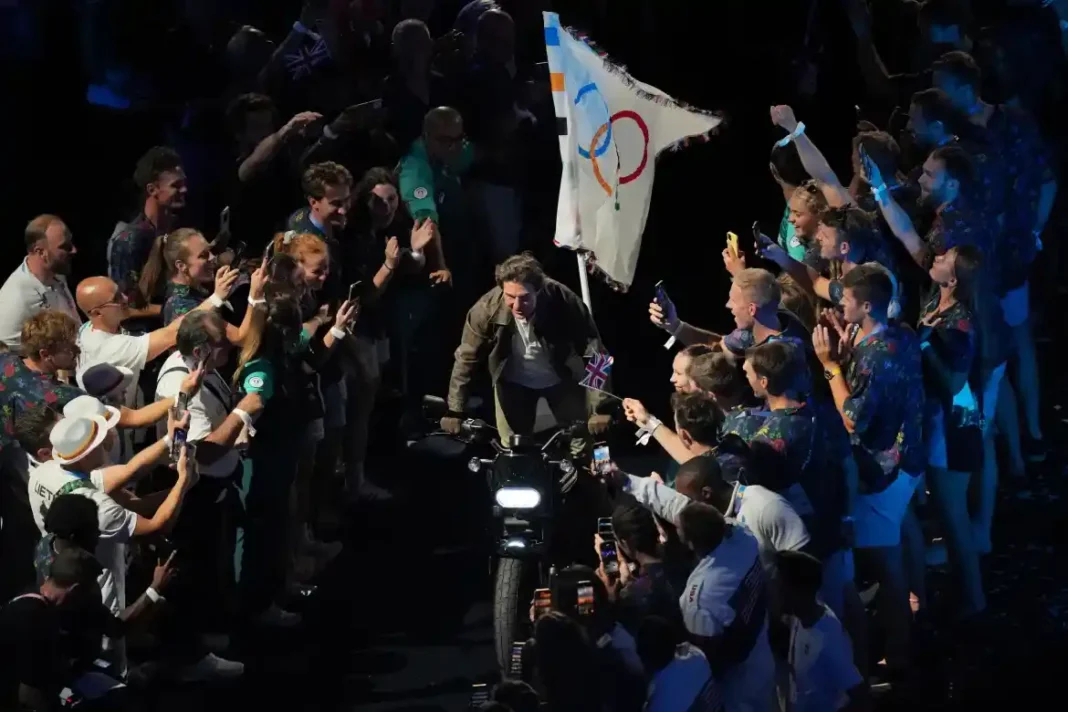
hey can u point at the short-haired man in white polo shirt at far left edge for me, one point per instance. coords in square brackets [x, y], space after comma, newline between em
[40, 282]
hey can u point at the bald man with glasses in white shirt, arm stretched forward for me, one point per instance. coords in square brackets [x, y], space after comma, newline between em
[103, 341]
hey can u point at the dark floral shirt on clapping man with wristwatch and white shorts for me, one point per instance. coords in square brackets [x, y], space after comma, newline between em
[886, 387]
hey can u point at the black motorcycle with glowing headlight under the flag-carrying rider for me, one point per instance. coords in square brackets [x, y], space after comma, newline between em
[541, 513]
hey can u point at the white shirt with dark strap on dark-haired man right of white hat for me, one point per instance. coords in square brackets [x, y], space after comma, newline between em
[208, 409]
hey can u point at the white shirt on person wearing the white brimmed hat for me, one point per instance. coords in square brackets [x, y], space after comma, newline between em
[116, 523]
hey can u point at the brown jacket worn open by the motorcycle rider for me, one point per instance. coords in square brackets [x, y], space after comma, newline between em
[562, 321]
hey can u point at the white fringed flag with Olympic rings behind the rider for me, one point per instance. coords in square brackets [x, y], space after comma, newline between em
[611, 128]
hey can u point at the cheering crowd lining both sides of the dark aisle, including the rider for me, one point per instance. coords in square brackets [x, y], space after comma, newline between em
[211, 381]
